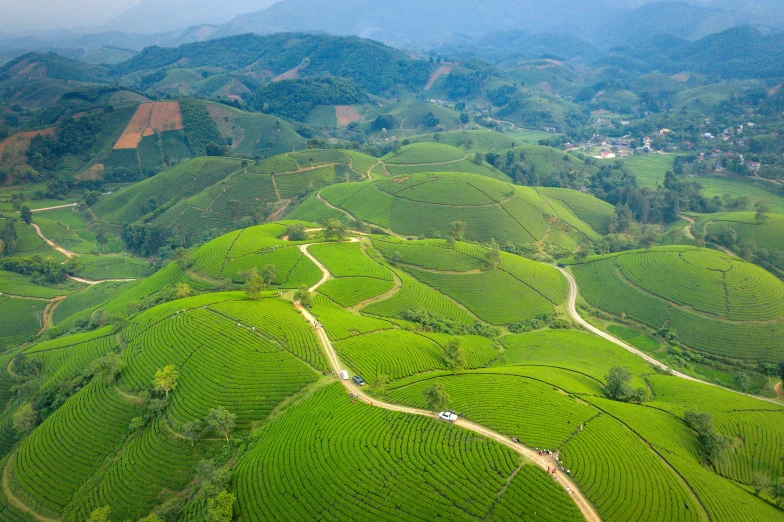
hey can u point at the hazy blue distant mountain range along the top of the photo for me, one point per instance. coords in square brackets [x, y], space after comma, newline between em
[502, 28]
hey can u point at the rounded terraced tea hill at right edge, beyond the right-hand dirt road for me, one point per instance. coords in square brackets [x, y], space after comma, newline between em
[714, 302]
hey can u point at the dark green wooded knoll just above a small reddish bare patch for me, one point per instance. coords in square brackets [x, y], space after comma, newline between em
[296, 98]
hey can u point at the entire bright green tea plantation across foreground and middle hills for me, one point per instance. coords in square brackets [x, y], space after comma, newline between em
[213, 373]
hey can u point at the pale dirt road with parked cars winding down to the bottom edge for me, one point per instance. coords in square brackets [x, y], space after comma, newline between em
[544, 462]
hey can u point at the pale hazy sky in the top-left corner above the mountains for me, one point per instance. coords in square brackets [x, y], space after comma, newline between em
[26, 15]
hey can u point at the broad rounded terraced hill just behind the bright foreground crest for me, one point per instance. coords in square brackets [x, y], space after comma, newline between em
[426, 204]
